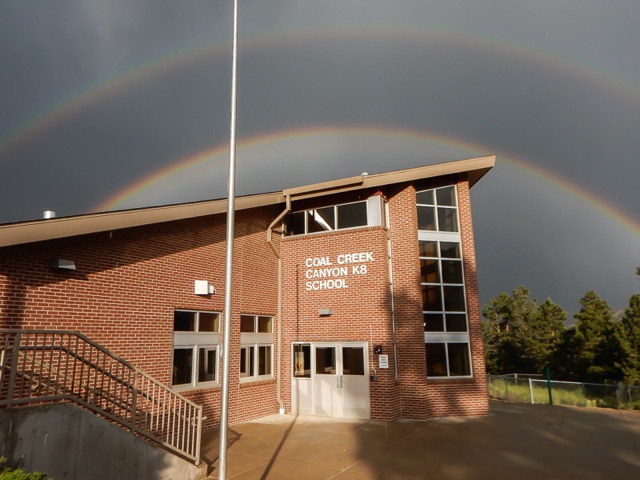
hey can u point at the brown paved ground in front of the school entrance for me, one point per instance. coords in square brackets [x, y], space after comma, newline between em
[516, 441]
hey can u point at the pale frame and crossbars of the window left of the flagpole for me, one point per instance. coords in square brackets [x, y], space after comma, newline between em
[195, 340]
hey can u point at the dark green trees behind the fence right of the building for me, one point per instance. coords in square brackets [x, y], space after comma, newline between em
[522, 336]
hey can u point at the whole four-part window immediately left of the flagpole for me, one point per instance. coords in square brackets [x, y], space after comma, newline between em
[196, 336]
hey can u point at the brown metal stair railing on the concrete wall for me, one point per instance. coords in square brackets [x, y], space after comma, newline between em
[50, 366]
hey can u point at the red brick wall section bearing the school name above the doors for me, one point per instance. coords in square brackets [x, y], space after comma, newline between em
[361, 312]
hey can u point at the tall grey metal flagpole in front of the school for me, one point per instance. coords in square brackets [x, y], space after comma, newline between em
[224, 403]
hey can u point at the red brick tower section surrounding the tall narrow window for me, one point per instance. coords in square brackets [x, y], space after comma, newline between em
[423, 398]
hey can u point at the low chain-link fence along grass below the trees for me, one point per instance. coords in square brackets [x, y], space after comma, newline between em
[527, 389]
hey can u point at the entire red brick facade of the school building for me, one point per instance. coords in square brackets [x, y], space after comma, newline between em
[128, 283]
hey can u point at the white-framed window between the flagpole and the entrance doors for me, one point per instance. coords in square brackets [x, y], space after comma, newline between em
[256, 347]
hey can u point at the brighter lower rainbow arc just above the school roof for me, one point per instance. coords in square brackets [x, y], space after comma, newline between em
[190, 167]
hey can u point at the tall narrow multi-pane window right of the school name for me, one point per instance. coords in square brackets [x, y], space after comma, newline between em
[446, 332]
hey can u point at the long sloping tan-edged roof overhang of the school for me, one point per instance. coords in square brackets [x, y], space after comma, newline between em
[48, 229]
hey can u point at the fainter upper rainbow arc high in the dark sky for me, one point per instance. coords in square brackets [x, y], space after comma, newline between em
[71, 105]
